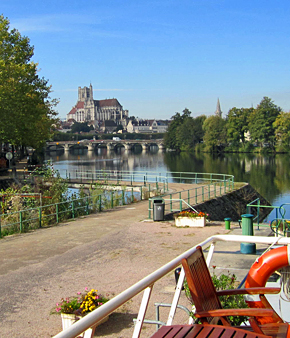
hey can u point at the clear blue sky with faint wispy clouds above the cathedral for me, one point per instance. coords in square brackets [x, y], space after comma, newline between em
[159, 57]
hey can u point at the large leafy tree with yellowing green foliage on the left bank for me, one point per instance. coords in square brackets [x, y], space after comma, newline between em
[26, 109]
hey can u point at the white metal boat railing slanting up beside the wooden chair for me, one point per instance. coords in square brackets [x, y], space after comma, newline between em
[146, 285]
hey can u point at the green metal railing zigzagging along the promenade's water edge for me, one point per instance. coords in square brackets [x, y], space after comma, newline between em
[150, 184]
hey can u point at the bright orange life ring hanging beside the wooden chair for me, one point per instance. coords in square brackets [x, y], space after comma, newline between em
[262, 269]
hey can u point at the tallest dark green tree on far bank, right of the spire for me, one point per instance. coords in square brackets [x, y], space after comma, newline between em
[261, 122]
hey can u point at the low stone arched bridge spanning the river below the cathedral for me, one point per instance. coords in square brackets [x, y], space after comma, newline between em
[109, 144]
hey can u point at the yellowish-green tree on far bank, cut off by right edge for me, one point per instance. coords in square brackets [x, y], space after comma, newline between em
[282, 130]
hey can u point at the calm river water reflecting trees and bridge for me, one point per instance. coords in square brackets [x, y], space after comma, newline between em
[269, 175]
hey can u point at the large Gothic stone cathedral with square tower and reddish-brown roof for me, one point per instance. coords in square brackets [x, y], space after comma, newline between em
[95, 112]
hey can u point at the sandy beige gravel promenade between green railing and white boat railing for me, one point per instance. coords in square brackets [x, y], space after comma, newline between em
[108, 251]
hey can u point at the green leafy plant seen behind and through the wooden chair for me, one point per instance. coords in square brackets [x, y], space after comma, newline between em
[226, 282]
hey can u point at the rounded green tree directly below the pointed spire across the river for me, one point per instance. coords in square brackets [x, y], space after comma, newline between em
[214, 133]
